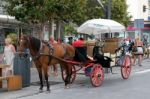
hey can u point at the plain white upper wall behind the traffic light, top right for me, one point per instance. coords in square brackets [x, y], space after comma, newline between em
[135, 9]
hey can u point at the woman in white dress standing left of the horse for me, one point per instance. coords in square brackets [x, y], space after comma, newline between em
[8, 56]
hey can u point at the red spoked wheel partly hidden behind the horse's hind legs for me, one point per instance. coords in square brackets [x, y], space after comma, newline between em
[73, 76]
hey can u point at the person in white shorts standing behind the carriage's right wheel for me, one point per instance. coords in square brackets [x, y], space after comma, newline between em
[139, 53]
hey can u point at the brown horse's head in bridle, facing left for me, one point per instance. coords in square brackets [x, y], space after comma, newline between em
[23, 43]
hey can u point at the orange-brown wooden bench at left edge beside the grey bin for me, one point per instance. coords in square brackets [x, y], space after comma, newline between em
[14, 82]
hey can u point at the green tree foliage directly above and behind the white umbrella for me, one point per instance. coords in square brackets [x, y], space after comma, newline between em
[92, 9]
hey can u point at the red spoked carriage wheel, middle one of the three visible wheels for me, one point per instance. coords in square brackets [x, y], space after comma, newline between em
[97, 75]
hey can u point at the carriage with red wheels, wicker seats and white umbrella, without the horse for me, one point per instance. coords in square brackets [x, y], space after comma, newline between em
[95, 68]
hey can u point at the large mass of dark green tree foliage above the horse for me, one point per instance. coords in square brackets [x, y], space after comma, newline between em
[40, 11]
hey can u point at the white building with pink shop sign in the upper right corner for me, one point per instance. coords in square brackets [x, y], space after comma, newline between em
[140, 21]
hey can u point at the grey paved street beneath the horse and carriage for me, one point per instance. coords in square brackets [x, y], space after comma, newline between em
[114, 87]
